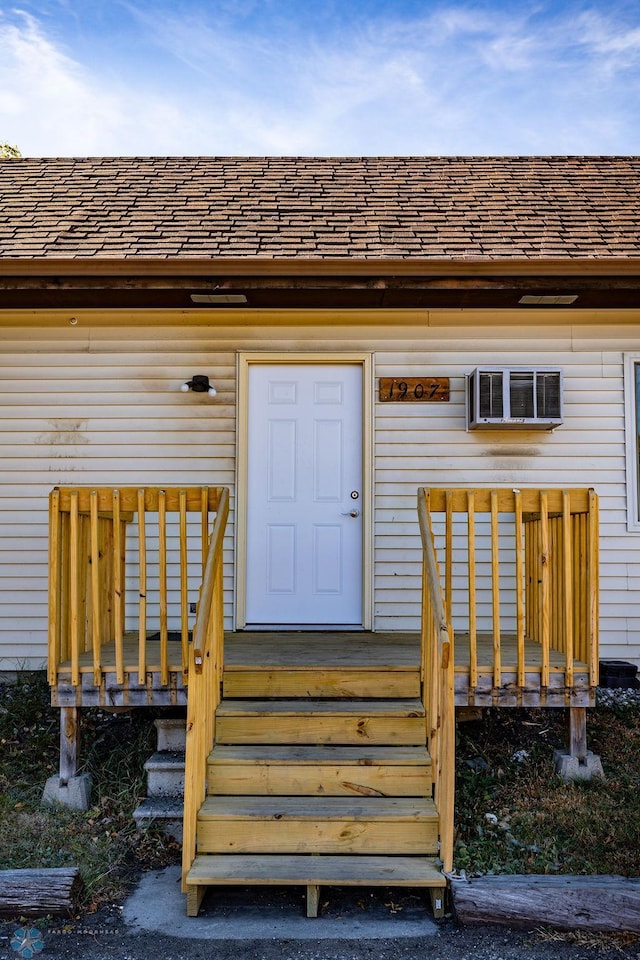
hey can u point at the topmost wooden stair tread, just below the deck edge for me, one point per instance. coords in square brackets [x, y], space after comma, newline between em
[356, 708]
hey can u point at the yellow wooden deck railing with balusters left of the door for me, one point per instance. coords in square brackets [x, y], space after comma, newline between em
[110, 544]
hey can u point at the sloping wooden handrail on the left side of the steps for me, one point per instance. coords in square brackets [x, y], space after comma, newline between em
[205, 681]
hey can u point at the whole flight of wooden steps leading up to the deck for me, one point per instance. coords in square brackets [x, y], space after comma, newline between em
[318, 790]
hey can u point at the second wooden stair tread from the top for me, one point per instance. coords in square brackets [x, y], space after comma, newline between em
[312, 754]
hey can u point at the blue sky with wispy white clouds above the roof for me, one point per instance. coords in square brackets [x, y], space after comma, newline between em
[133, 77]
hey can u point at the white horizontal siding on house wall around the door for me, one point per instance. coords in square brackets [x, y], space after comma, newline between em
[101, 405]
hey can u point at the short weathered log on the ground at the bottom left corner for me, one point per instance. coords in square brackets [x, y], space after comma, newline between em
[38, 893]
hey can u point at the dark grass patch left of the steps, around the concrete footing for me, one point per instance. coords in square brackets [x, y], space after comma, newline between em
[103, 841]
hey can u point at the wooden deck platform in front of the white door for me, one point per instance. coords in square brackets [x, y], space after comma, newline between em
[347, 653]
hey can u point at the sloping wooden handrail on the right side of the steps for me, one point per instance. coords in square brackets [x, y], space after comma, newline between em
[437, 680]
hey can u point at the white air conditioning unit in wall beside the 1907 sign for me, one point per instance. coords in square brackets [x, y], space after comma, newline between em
[517, 397]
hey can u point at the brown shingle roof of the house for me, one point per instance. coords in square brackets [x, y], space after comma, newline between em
[295, 207]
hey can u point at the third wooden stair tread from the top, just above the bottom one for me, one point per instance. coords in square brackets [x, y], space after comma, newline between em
[317, 808]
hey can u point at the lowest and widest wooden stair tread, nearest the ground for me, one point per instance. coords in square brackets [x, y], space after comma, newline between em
[295, 869]
